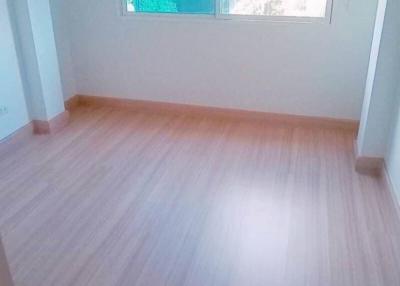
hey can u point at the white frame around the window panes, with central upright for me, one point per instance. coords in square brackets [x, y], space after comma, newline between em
[219, 16]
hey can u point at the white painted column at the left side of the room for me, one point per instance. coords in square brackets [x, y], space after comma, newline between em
[39, 57]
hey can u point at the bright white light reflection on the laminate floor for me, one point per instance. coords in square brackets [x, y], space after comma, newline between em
[247, 232]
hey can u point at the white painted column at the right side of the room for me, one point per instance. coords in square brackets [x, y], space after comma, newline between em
[381, 85]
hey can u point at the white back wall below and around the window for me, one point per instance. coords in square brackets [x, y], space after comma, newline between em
[308, 69]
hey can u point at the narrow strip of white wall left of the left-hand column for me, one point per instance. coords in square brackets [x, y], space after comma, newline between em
[11, 89]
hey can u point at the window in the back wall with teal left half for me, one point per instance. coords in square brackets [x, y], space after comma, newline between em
[276, 9]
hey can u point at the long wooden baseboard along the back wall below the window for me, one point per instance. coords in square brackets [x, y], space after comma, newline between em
[204, 111]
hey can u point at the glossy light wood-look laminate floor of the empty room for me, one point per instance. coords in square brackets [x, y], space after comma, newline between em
[130, 198]
